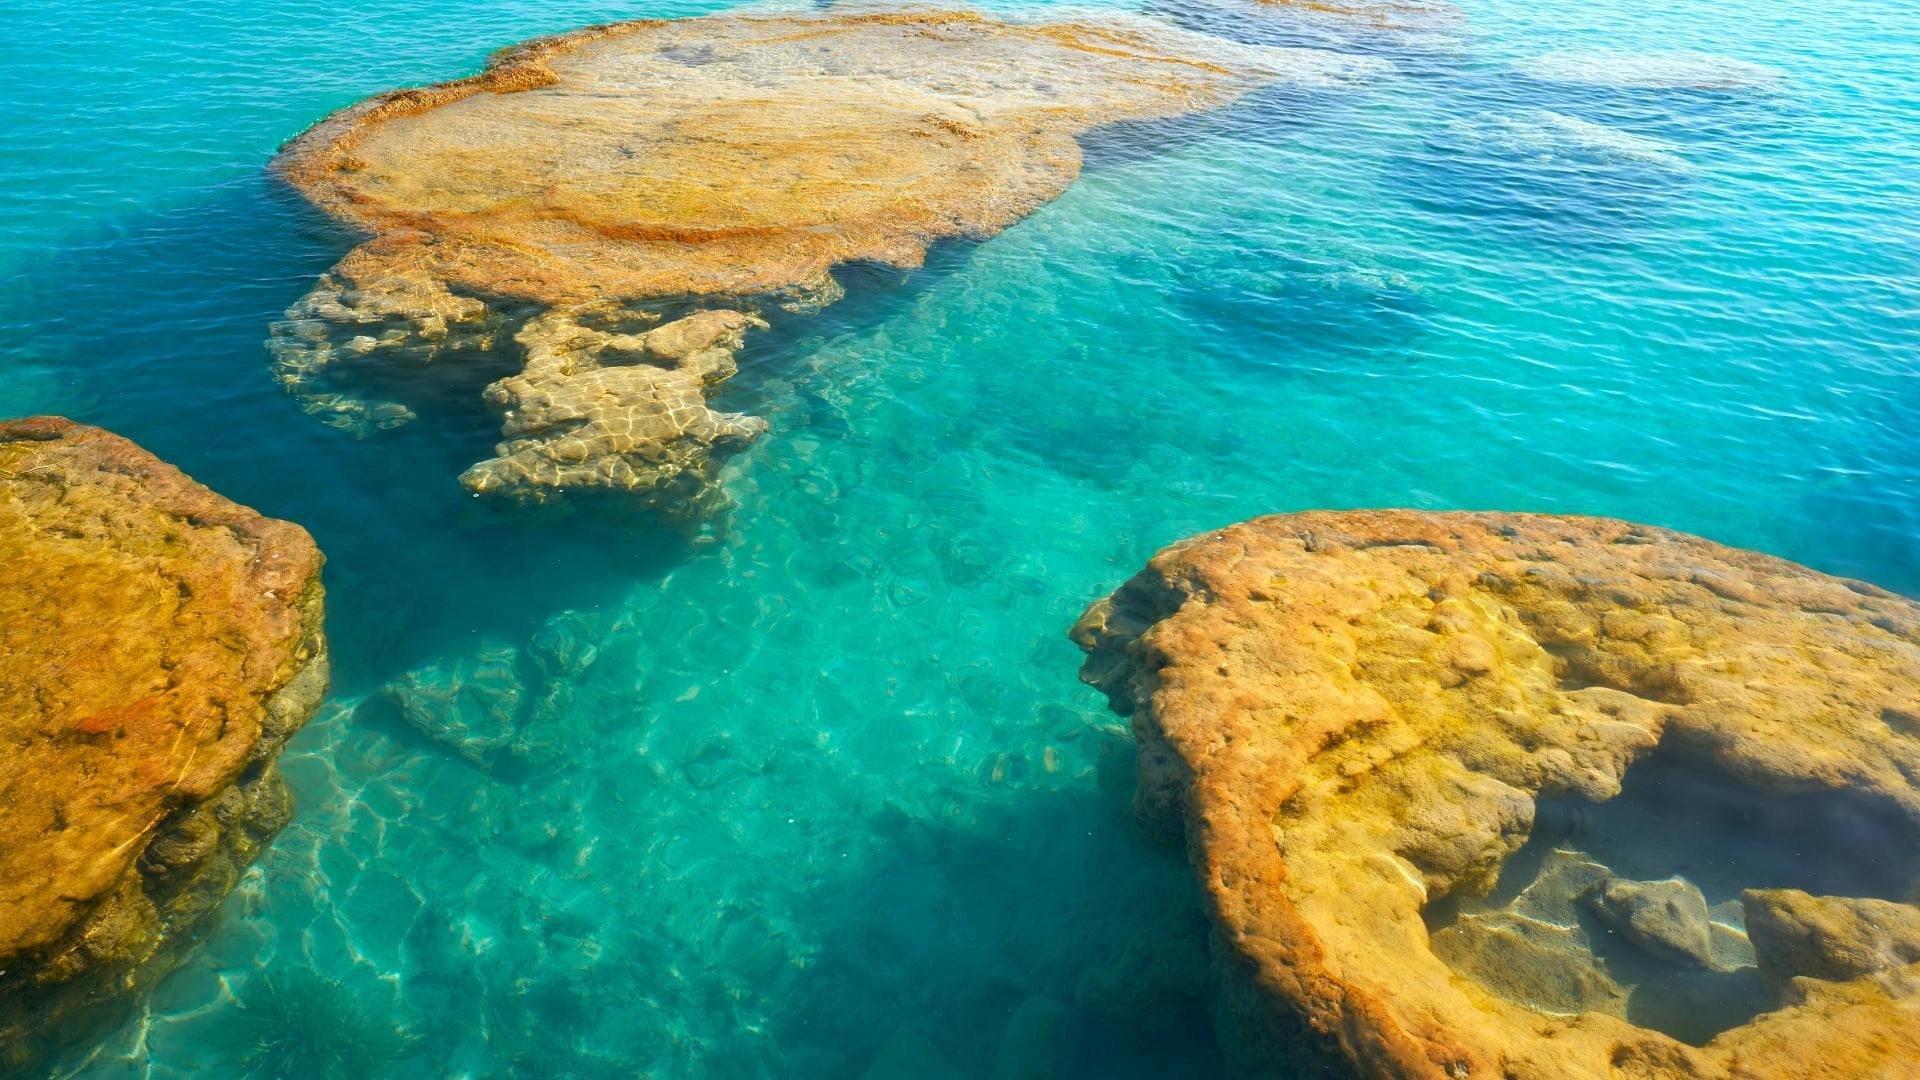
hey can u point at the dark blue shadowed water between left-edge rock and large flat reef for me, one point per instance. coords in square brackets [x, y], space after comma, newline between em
[156, 326]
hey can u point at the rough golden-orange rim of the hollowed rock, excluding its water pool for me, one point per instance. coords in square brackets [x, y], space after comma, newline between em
[1351, 718]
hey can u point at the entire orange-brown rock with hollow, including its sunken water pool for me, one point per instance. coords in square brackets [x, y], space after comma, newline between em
[1499, 795]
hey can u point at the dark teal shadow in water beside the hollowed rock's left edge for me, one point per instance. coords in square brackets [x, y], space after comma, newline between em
[1047, 939]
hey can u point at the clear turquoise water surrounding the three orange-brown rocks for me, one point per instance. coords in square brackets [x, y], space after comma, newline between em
[823, 781]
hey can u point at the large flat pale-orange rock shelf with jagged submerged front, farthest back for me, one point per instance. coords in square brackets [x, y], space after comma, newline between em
[723, 162]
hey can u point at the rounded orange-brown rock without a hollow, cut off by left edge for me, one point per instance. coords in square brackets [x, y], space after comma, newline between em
[158, 645]
